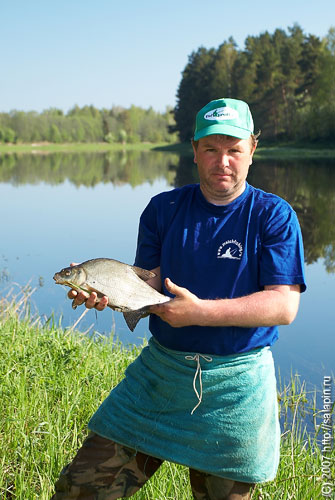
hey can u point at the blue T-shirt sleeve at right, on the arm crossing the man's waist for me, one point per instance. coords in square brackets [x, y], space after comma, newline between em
[282, 256]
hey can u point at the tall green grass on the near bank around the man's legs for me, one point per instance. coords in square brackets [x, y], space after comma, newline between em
[53, 380]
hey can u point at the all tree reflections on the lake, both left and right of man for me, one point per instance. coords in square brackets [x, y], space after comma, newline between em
[309, 186]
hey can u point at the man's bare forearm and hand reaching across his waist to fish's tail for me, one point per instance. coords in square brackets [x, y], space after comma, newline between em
[275, 305]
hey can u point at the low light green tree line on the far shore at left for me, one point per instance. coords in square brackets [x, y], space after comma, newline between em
[87, 124]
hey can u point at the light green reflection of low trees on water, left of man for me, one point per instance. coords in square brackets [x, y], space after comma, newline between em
[87, 169]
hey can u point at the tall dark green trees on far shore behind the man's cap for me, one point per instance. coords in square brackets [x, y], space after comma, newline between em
[287, 78]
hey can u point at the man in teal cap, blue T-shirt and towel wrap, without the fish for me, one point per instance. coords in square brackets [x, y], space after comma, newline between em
[203, 392]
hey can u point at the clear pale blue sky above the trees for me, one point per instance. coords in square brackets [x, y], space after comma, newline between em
[107, 52]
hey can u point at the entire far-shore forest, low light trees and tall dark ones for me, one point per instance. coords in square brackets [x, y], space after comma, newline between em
[287, 78]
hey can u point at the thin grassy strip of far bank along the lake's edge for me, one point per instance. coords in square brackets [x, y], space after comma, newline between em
[281, 151]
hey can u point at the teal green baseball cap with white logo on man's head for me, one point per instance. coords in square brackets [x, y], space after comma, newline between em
[226, 117]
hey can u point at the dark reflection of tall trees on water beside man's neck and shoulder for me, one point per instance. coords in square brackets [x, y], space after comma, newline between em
[308, 186]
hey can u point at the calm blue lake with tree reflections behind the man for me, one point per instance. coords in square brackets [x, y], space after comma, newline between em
[60, 208]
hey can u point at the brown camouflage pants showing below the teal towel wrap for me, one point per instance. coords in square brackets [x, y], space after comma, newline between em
[104, 470]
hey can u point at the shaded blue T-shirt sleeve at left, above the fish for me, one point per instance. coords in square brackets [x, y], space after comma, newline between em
[148, 250]
